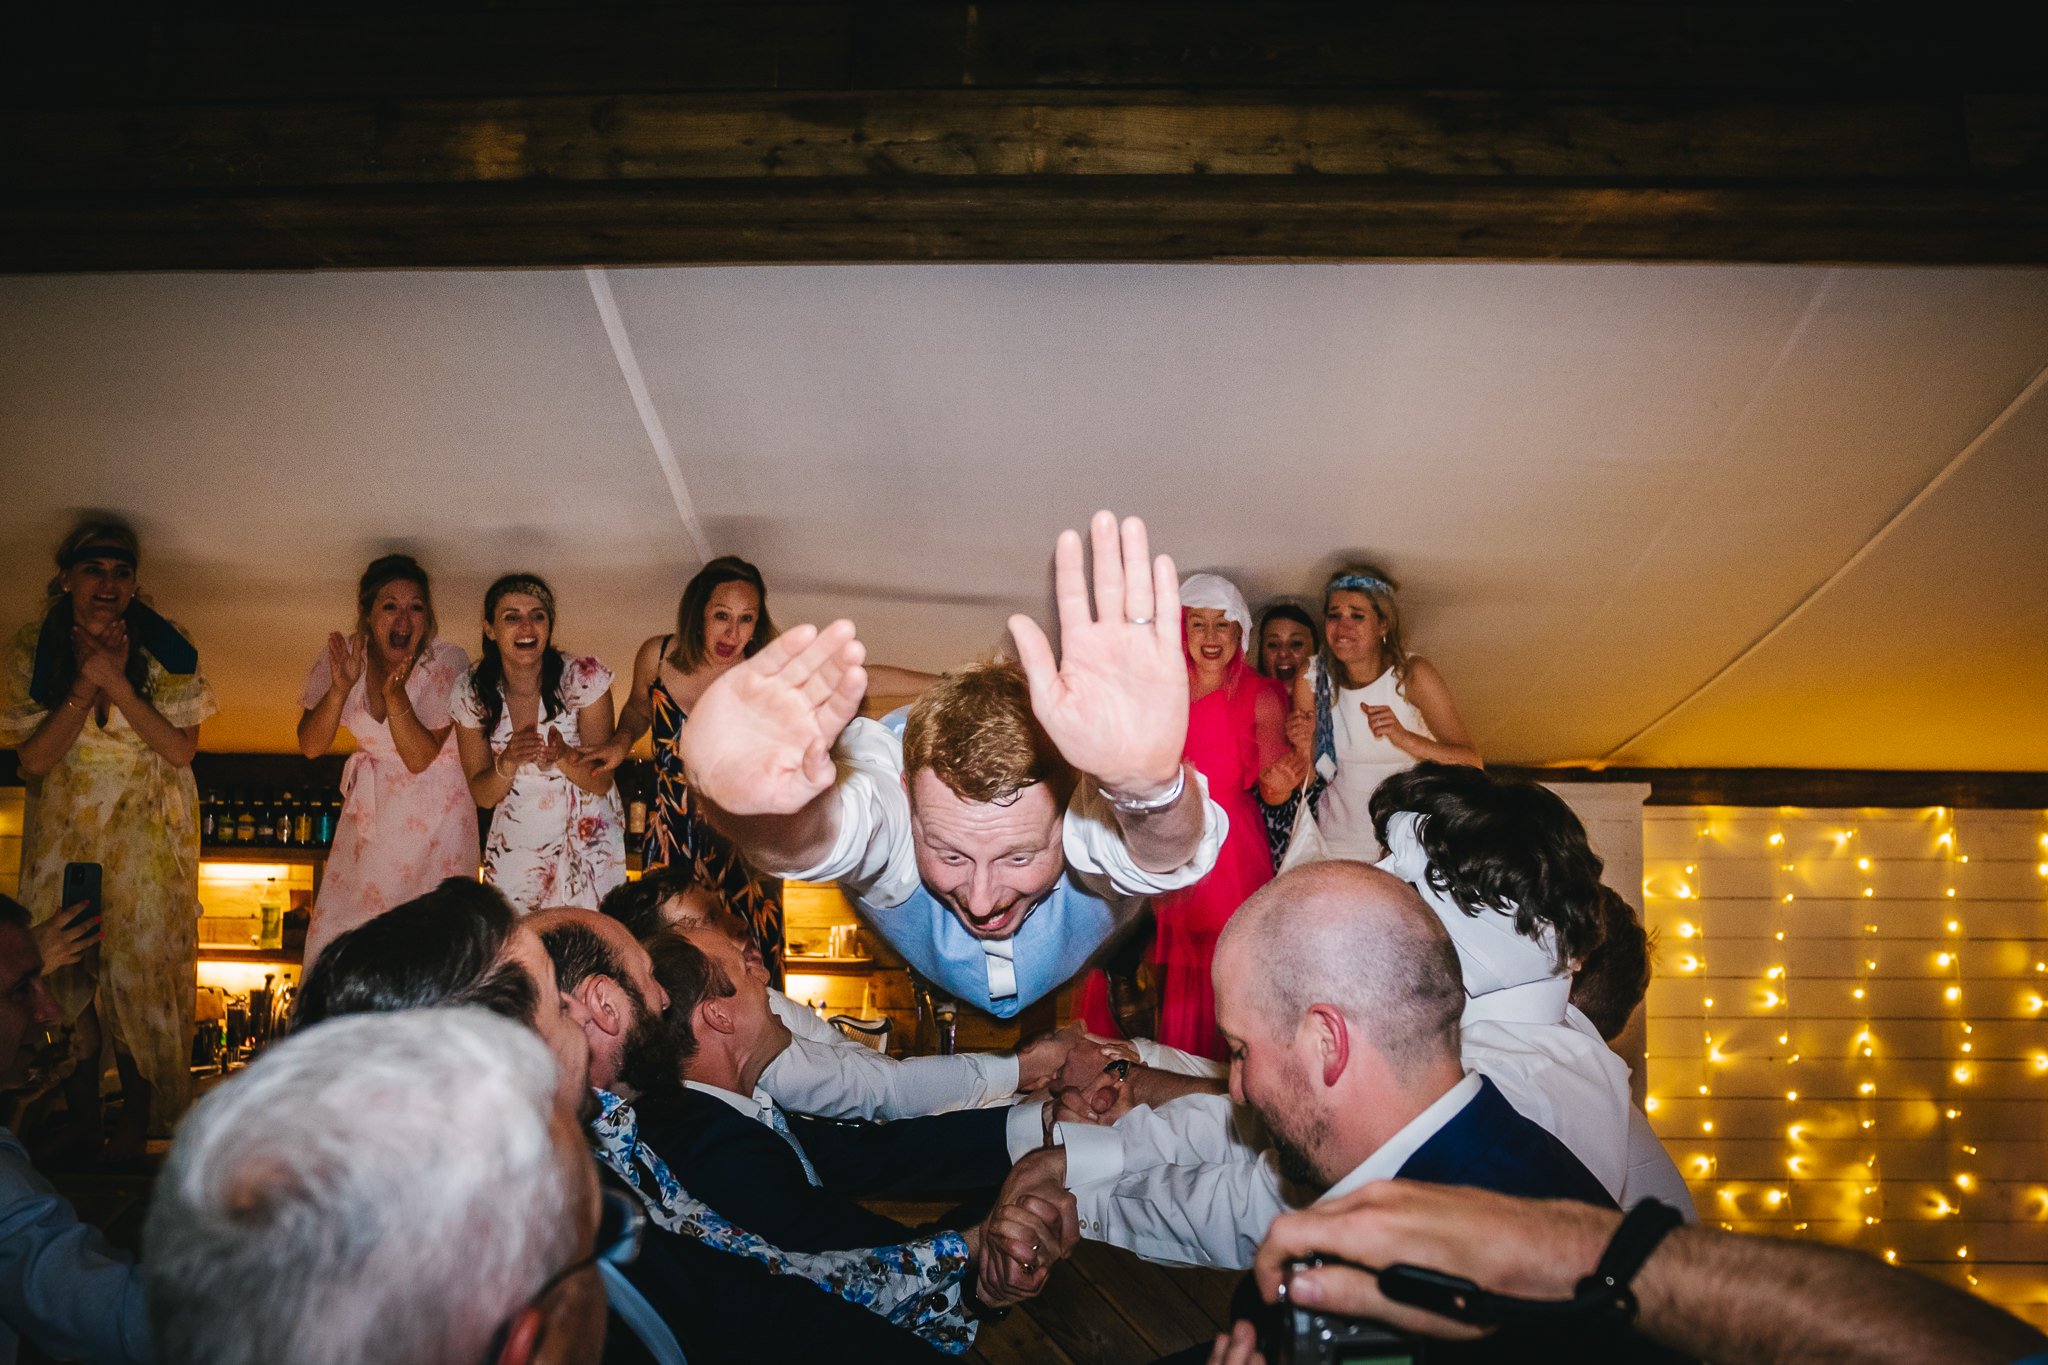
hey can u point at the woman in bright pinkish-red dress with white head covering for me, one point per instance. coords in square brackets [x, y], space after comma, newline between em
[1236, 730]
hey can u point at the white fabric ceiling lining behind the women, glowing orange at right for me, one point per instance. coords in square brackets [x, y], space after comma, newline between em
[1607, 488]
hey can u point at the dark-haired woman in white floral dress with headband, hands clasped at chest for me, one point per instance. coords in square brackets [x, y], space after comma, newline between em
[523, 715]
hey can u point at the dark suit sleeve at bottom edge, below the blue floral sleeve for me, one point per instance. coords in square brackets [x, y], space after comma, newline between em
[730, 1309]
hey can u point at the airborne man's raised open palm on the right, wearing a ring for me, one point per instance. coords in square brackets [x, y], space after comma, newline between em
[1117, 701]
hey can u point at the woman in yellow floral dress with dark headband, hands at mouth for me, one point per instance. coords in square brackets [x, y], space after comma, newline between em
[103, 699]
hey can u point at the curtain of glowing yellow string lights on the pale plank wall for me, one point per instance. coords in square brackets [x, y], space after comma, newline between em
[1852, 865]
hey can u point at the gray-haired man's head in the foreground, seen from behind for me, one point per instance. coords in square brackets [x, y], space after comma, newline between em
[402, 1188]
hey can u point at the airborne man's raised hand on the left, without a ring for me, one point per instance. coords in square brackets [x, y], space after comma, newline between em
[761, 738]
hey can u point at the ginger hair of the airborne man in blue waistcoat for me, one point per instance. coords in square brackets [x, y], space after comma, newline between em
[976, 732]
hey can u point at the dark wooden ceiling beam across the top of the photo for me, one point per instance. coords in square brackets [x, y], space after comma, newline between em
[1027, 132]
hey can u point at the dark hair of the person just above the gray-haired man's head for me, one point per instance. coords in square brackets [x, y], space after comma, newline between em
[441, 949]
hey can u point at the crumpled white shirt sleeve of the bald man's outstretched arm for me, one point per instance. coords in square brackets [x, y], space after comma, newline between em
[1197, 1188]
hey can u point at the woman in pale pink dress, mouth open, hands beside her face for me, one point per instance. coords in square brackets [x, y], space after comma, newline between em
[407, 816]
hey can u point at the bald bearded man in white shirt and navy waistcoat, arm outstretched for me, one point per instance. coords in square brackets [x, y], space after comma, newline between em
[1338, 996]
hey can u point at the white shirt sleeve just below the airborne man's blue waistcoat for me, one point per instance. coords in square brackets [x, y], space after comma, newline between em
[830, 1075]
